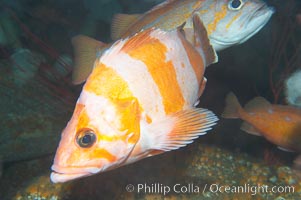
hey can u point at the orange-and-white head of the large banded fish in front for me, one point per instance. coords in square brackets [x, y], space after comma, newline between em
[100, 136]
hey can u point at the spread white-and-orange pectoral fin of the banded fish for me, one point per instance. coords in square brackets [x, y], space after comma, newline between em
[180, 129]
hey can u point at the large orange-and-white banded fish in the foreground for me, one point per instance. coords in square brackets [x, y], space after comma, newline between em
[138, 102]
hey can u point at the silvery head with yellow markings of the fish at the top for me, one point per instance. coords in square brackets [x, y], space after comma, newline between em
[231, 22]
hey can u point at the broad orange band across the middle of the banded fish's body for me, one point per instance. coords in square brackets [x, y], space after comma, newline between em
[172, 98]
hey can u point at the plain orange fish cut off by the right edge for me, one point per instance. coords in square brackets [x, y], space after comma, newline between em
[279, 124]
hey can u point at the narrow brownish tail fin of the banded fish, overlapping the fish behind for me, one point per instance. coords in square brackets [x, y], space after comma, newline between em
[202, 42]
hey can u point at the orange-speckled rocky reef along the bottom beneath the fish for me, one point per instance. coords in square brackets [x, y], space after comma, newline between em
[198, 172]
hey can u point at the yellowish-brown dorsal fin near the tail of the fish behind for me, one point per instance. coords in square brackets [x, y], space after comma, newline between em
[121, 23]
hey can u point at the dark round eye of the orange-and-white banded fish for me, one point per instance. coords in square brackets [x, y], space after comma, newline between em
[85, 138]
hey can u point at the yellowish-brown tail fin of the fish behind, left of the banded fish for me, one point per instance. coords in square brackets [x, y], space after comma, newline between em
[85, 53]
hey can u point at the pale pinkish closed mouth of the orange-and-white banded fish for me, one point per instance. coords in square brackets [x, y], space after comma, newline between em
[64, 174]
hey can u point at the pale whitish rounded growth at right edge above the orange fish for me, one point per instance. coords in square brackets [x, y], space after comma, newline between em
[293, 89]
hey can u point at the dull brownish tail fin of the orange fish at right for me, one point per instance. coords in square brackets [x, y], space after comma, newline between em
[232, 107]
